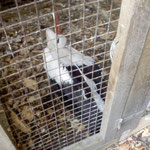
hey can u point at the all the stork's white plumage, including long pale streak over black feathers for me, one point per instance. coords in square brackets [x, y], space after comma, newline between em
[68, 56]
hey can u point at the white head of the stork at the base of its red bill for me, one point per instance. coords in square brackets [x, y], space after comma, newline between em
[54, 40]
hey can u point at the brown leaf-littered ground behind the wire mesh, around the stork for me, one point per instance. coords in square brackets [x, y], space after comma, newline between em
[22, 42]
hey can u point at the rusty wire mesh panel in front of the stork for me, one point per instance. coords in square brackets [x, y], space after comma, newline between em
[42, 113]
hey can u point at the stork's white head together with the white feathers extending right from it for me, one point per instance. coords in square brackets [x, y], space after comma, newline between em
[65, 53]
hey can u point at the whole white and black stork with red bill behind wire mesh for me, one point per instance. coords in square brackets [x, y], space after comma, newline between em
[75, 75]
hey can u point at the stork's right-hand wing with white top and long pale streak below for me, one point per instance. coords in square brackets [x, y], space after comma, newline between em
[78, 59]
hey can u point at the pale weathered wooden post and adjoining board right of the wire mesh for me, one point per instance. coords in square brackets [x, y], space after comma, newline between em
[130, 72]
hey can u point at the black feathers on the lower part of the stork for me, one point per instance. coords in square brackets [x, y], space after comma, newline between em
[84, 110]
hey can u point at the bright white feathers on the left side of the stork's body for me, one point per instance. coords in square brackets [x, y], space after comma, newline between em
[55, 70]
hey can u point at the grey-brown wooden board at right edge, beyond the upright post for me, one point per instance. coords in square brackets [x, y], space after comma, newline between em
[138, 100]
